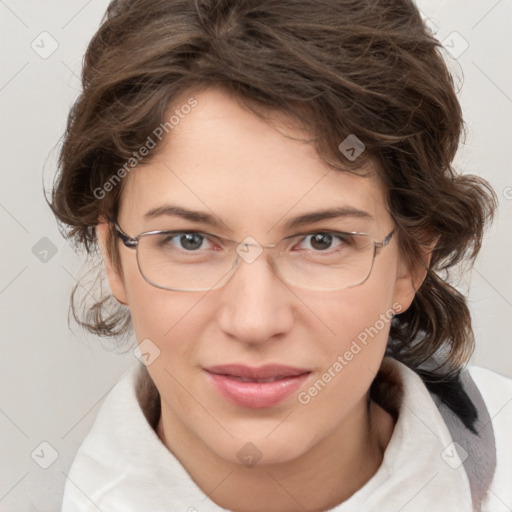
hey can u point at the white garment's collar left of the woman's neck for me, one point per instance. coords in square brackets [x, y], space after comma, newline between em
[122, 464]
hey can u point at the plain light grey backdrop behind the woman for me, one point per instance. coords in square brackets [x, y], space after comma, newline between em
[54, 378]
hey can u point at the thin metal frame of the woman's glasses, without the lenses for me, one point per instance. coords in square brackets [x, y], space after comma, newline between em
[133, 243]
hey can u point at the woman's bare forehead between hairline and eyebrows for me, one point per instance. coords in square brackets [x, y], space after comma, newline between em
[223, 159]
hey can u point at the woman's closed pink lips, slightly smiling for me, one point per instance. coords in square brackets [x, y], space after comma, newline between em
[260, 387]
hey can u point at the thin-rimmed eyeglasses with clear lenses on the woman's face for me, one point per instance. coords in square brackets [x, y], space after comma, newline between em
[190, 260]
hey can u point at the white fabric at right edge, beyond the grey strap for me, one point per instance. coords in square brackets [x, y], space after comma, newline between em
[496, 390]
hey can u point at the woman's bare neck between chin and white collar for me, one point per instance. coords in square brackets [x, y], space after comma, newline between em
[322, 477]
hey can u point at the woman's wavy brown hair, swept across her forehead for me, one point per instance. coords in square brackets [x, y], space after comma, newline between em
[367, 67]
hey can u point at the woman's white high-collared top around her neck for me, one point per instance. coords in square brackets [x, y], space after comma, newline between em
[122, 465]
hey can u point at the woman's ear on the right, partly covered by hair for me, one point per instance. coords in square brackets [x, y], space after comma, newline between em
[410, 278]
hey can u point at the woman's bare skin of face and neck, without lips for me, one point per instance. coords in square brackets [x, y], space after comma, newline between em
[224, 160]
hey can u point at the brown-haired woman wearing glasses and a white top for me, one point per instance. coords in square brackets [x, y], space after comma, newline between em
[271, 189]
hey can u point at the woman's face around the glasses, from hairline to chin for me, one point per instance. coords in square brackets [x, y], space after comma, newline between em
[225, 162]
